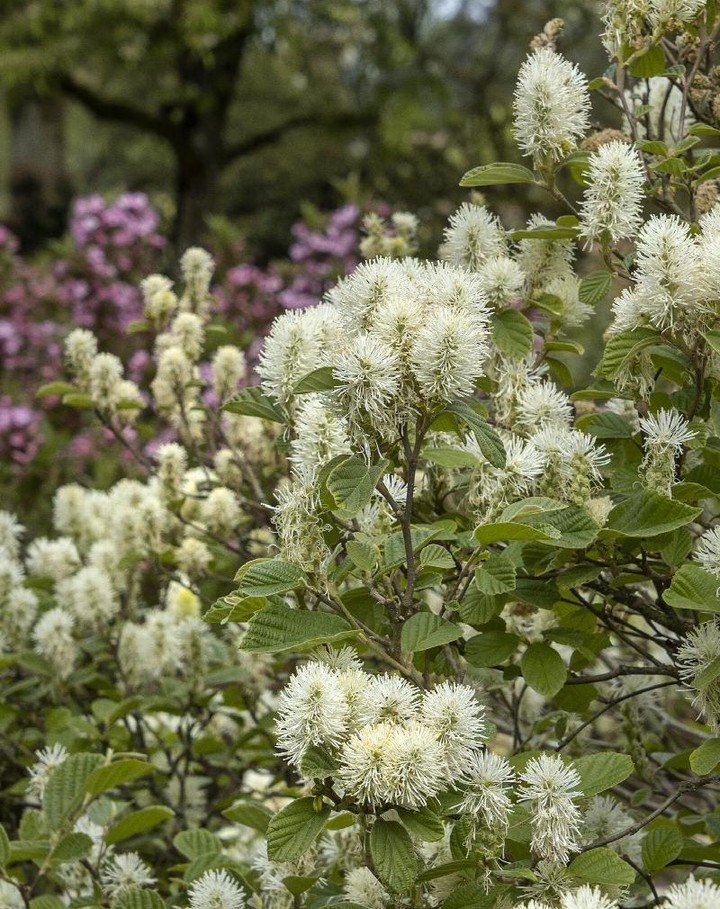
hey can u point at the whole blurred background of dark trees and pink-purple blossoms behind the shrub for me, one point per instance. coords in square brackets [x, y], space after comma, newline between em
[131, 129]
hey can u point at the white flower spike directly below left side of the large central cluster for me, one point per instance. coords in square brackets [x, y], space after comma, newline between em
[320, 434]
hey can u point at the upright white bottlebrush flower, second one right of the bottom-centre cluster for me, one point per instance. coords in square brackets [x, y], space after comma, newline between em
[549, 788]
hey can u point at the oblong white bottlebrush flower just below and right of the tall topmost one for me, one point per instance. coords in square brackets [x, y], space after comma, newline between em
[613, 199]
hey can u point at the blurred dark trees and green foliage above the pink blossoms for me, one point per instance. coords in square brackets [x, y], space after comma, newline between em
[234, 114]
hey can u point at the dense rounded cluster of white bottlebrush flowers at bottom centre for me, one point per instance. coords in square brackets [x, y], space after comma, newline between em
[394, 743]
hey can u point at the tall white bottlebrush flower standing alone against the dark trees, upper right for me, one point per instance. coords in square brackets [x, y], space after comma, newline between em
[551, 106]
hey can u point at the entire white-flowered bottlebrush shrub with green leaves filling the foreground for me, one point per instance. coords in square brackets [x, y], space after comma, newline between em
[405, 623]
